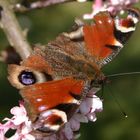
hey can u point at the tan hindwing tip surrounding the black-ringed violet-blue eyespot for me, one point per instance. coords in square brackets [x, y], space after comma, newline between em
[20, 76]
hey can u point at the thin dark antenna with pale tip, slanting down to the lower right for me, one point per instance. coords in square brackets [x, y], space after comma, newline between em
[117, 102]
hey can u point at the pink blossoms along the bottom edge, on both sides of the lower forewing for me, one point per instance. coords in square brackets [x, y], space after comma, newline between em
[20, 121]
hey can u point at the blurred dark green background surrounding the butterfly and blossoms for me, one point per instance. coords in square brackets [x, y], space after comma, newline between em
[44, 25]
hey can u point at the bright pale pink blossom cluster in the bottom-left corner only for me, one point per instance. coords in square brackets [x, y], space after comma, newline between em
[20, 122]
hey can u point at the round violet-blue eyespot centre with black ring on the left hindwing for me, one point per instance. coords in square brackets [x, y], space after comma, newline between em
[27, 78]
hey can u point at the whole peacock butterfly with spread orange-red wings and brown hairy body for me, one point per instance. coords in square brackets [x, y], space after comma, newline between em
[55, 78]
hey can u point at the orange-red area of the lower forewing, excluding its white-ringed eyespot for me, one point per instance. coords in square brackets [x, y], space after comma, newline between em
[49, 94]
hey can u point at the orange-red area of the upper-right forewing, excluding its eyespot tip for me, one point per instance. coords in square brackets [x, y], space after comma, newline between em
[100, 34]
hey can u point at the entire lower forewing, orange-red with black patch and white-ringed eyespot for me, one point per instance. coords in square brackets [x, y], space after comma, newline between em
[51, 104]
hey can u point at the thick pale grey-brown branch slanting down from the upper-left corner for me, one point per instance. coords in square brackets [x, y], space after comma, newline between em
[13, 31]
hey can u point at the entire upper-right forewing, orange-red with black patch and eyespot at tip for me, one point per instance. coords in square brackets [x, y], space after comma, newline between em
[106, 37]
